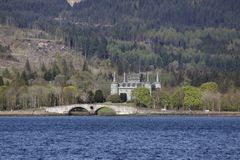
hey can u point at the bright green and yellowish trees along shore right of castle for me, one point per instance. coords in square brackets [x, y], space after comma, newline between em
[205, 97]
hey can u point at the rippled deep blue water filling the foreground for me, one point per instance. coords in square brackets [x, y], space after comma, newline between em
[119, 138]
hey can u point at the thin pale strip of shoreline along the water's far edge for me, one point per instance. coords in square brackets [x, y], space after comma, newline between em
[148, 112]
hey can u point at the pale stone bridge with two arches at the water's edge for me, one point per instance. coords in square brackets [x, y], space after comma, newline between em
[93, 109]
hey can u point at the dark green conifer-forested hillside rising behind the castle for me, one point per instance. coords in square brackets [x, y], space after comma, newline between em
[188, 41]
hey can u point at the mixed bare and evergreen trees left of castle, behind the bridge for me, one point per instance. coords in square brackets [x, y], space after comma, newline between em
[51, 85]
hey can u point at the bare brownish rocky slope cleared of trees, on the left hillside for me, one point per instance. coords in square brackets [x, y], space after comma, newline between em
[18, 45]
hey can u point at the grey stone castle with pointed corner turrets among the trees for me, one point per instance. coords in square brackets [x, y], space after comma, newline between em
[130, 82]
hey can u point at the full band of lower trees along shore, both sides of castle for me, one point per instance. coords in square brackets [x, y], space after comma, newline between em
[34, 89]
